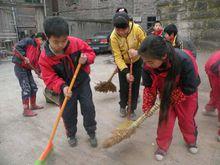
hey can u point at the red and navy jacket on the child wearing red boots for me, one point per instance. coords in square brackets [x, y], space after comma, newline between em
[29, 48]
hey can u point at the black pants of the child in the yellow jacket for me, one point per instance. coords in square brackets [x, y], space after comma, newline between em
[124, 86]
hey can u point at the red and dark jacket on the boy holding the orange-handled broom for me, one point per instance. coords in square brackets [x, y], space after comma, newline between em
[57, 70]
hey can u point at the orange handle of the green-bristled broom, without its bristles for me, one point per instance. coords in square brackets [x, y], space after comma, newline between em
[45, 153]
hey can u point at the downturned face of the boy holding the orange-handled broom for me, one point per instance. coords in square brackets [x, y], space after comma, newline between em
[58, 43]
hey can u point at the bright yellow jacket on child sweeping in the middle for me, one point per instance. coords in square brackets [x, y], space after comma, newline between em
[121, 45]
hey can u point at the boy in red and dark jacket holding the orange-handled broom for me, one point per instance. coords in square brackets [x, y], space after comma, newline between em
[58, 62]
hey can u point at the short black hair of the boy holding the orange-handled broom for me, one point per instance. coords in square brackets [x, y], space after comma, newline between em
[56, 26]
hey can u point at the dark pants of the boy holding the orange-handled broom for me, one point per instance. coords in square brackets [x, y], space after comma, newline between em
[83, 94]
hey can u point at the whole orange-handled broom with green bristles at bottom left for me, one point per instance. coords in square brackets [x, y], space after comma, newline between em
[49, 146]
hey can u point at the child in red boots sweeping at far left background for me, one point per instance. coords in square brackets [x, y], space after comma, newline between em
[26, 54]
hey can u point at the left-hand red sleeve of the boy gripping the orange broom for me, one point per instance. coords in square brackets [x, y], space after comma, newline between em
[49, 76]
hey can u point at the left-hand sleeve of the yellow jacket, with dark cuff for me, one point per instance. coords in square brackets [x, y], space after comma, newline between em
[118, 56]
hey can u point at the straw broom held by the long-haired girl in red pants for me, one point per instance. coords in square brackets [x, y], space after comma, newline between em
[120, 134]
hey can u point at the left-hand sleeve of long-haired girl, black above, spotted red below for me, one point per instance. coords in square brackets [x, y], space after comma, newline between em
[149, 92]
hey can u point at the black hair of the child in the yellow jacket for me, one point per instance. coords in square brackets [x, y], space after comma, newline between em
[121, 20]
